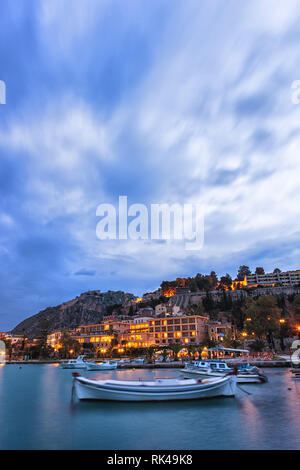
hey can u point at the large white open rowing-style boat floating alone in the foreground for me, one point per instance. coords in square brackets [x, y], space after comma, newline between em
[163, 389]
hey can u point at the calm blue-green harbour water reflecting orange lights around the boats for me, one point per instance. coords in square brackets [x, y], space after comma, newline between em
[36, 412]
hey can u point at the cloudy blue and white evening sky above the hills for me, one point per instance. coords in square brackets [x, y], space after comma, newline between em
[168, 101]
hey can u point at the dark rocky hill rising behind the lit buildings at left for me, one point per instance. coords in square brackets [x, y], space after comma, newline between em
[89, 307]
